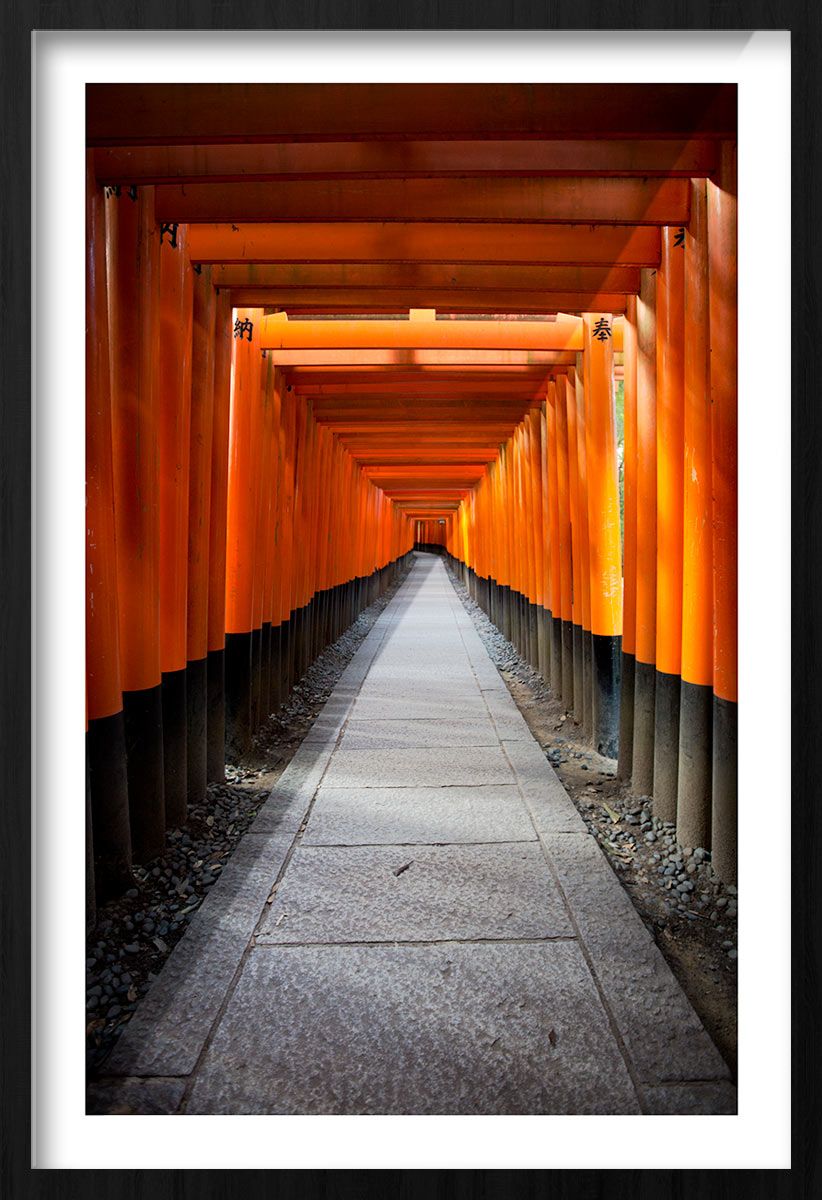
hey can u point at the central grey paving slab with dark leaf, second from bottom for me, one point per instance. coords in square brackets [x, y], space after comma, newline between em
[416, 895]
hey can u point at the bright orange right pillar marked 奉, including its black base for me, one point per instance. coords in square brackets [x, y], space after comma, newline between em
[604, 550]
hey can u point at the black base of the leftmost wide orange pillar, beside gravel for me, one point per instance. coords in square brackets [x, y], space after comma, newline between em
[109, 791]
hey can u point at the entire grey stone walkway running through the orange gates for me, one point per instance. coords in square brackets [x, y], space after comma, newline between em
[418, 922]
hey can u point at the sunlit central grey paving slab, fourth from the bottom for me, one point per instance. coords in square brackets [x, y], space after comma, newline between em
[434, 767]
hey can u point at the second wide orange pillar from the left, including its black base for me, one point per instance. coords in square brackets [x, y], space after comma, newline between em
[134, 298]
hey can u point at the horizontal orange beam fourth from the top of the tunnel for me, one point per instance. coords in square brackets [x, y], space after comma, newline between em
[419, 242]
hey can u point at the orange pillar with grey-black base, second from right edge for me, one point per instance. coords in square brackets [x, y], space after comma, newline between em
[695, 705]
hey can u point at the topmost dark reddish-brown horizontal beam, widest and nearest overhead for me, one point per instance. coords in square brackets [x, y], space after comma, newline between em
[169, 115]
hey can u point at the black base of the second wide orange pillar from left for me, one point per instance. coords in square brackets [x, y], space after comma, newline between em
[143, 716]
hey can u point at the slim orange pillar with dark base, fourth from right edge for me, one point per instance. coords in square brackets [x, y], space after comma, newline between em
[645, 639]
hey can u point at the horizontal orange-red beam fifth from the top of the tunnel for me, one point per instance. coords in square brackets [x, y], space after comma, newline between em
[439, 277]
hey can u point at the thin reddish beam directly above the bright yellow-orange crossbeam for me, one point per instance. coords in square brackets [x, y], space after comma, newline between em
[461, 301]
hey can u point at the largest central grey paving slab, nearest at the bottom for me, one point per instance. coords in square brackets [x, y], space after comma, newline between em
[503, 1029]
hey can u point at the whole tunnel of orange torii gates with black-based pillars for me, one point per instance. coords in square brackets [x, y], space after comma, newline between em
[331, 323]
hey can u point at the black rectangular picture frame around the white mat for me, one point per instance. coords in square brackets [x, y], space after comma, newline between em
[805, 21]
